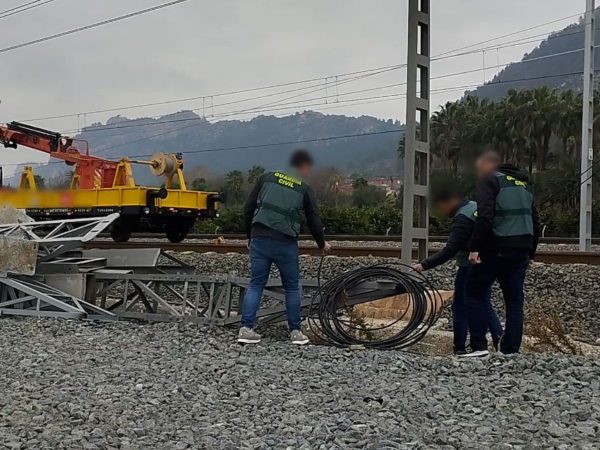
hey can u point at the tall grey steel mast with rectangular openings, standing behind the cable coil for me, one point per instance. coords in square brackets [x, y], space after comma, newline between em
[415, 219]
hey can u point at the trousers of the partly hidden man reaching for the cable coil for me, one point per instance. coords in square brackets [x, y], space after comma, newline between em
[460, 323]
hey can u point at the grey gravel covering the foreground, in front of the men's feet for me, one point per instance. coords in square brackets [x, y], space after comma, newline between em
[67, 385]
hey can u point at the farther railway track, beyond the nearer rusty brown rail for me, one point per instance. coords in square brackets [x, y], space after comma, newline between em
[352, 238]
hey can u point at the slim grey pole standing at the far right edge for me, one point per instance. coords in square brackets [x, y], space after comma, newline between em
[587, 150]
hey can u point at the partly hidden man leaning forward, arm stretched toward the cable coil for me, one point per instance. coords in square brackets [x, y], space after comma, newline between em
[464, 213]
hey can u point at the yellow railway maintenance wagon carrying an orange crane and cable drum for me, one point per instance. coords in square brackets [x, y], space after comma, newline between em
[100, 187]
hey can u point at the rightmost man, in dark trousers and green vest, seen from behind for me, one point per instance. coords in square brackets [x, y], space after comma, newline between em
[504, 241]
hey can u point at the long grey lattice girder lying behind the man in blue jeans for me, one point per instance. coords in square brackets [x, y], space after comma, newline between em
[210, 299]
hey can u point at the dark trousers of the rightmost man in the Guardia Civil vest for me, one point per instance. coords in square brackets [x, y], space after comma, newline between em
[509, 269]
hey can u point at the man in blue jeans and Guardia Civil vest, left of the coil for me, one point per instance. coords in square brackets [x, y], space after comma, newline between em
[273, 215]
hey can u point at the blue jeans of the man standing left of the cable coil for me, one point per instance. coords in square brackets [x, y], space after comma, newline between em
[264, 252]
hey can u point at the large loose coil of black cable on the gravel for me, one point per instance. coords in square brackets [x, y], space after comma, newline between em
[330, 317]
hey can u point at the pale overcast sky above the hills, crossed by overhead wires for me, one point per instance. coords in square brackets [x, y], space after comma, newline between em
[201, 47]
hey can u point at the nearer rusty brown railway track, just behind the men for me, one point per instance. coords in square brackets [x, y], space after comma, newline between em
[549, 257]
